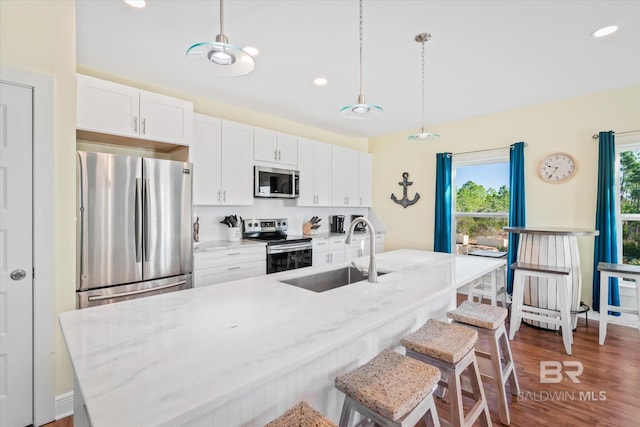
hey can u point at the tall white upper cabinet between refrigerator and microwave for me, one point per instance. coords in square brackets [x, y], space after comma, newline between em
[222, 167]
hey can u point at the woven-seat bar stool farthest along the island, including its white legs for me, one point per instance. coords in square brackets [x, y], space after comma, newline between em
[488, 321]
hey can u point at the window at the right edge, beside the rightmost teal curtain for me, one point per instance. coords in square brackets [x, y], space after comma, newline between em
[628, 201]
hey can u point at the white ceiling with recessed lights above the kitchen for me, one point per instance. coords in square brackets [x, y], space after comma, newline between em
[484, 56]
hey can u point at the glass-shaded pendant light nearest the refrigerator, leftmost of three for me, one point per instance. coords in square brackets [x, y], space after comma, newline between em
[219, 56]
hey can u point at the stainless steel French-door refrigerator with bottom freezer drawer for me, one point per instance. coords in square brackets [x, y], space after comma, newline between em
[133, 229]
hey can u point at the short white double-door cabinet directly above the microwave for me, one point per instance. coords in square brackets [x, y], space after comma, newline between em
[275, 147]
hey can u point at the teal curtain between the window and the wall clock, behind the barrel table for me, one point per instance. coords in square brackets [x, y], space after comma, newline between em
[516, 205]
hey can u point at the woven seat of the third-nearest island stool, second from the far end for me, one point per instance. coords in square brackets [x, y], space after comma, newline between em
[441, 340]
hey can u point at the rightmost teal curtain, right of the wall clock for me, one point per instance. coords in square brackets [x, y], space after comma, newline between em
[606, 245]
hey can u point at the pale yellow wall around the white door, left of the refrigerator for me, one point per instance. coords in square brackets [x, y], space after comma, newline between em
[39, 36]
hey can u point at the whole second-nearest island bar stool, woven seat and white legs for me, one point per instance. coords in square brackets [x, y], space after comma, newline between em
[390, 390]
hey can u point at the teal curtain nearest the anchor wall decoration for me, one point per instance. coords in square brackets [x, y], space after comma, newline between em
[442, 230]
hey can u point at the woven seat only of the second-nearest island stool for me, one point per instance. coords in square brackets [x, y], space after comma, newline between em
[391, 384]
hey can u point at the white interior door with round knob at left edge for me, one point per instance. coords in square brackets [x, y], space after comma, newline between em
[16, 277]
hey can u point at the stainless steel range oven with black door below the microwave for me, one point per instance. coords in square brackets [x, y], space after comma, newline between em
[284, 252]
